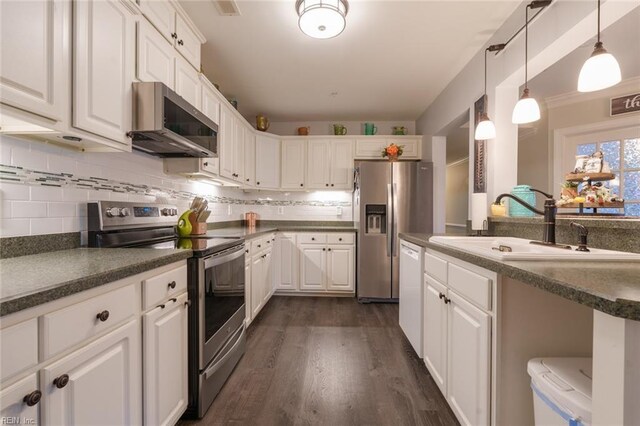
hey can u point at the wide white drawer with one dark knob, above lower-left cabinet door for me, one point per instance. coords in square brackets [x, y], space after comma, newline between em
[69, 326]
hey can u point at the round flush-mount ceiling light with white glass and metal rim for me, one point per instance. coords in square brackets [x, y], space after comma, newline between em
[322, 18]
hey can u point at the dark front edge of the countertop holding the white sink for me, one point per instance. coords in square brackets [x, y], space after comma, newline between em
[627, 309]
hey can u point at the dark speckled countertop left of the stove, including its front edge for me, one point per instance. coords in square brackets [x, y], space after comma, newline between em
[28, 281]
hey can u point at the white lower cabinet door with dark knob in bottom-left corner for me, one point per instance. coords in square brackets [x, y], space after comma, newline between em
[12, 405]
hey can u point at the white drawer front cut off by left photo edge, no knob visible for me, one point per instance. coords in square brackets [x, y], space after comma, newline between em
[18, 348]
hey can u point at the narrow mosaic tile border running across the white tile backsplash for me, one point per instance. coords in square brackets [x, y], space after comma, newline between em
[20, 175]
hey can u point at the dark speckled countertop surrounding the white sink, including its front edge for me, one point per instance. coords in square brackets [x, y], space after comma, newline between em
[610, 287]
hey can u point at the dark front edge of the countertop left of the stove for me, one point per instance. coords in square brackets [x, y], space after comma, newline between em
[30, 300]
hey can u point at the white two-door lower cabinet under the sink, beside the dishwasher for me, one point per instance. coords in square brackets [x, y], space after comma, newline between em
[457, 337]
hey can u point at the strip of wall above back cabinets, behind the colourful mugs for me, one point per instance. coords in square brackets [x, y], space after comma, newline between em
[290, 128]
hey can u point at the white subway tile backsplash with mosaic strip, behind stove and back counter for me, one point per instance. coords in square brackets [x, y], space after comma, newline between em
[29, 208]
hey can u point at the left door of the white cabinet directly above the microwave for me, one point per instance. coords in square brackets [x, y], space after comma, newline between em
[155, 56]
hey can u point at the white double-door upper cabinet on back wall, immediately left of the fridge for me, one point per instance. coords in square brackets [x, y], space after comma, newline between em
[330, 164]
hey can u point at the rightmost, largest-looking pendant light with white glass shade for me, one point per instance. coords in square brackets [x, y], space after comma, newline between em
[601, 70]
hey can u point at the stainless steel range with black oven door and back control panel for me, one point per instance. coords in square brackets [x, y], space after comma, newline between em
[215, 287]
